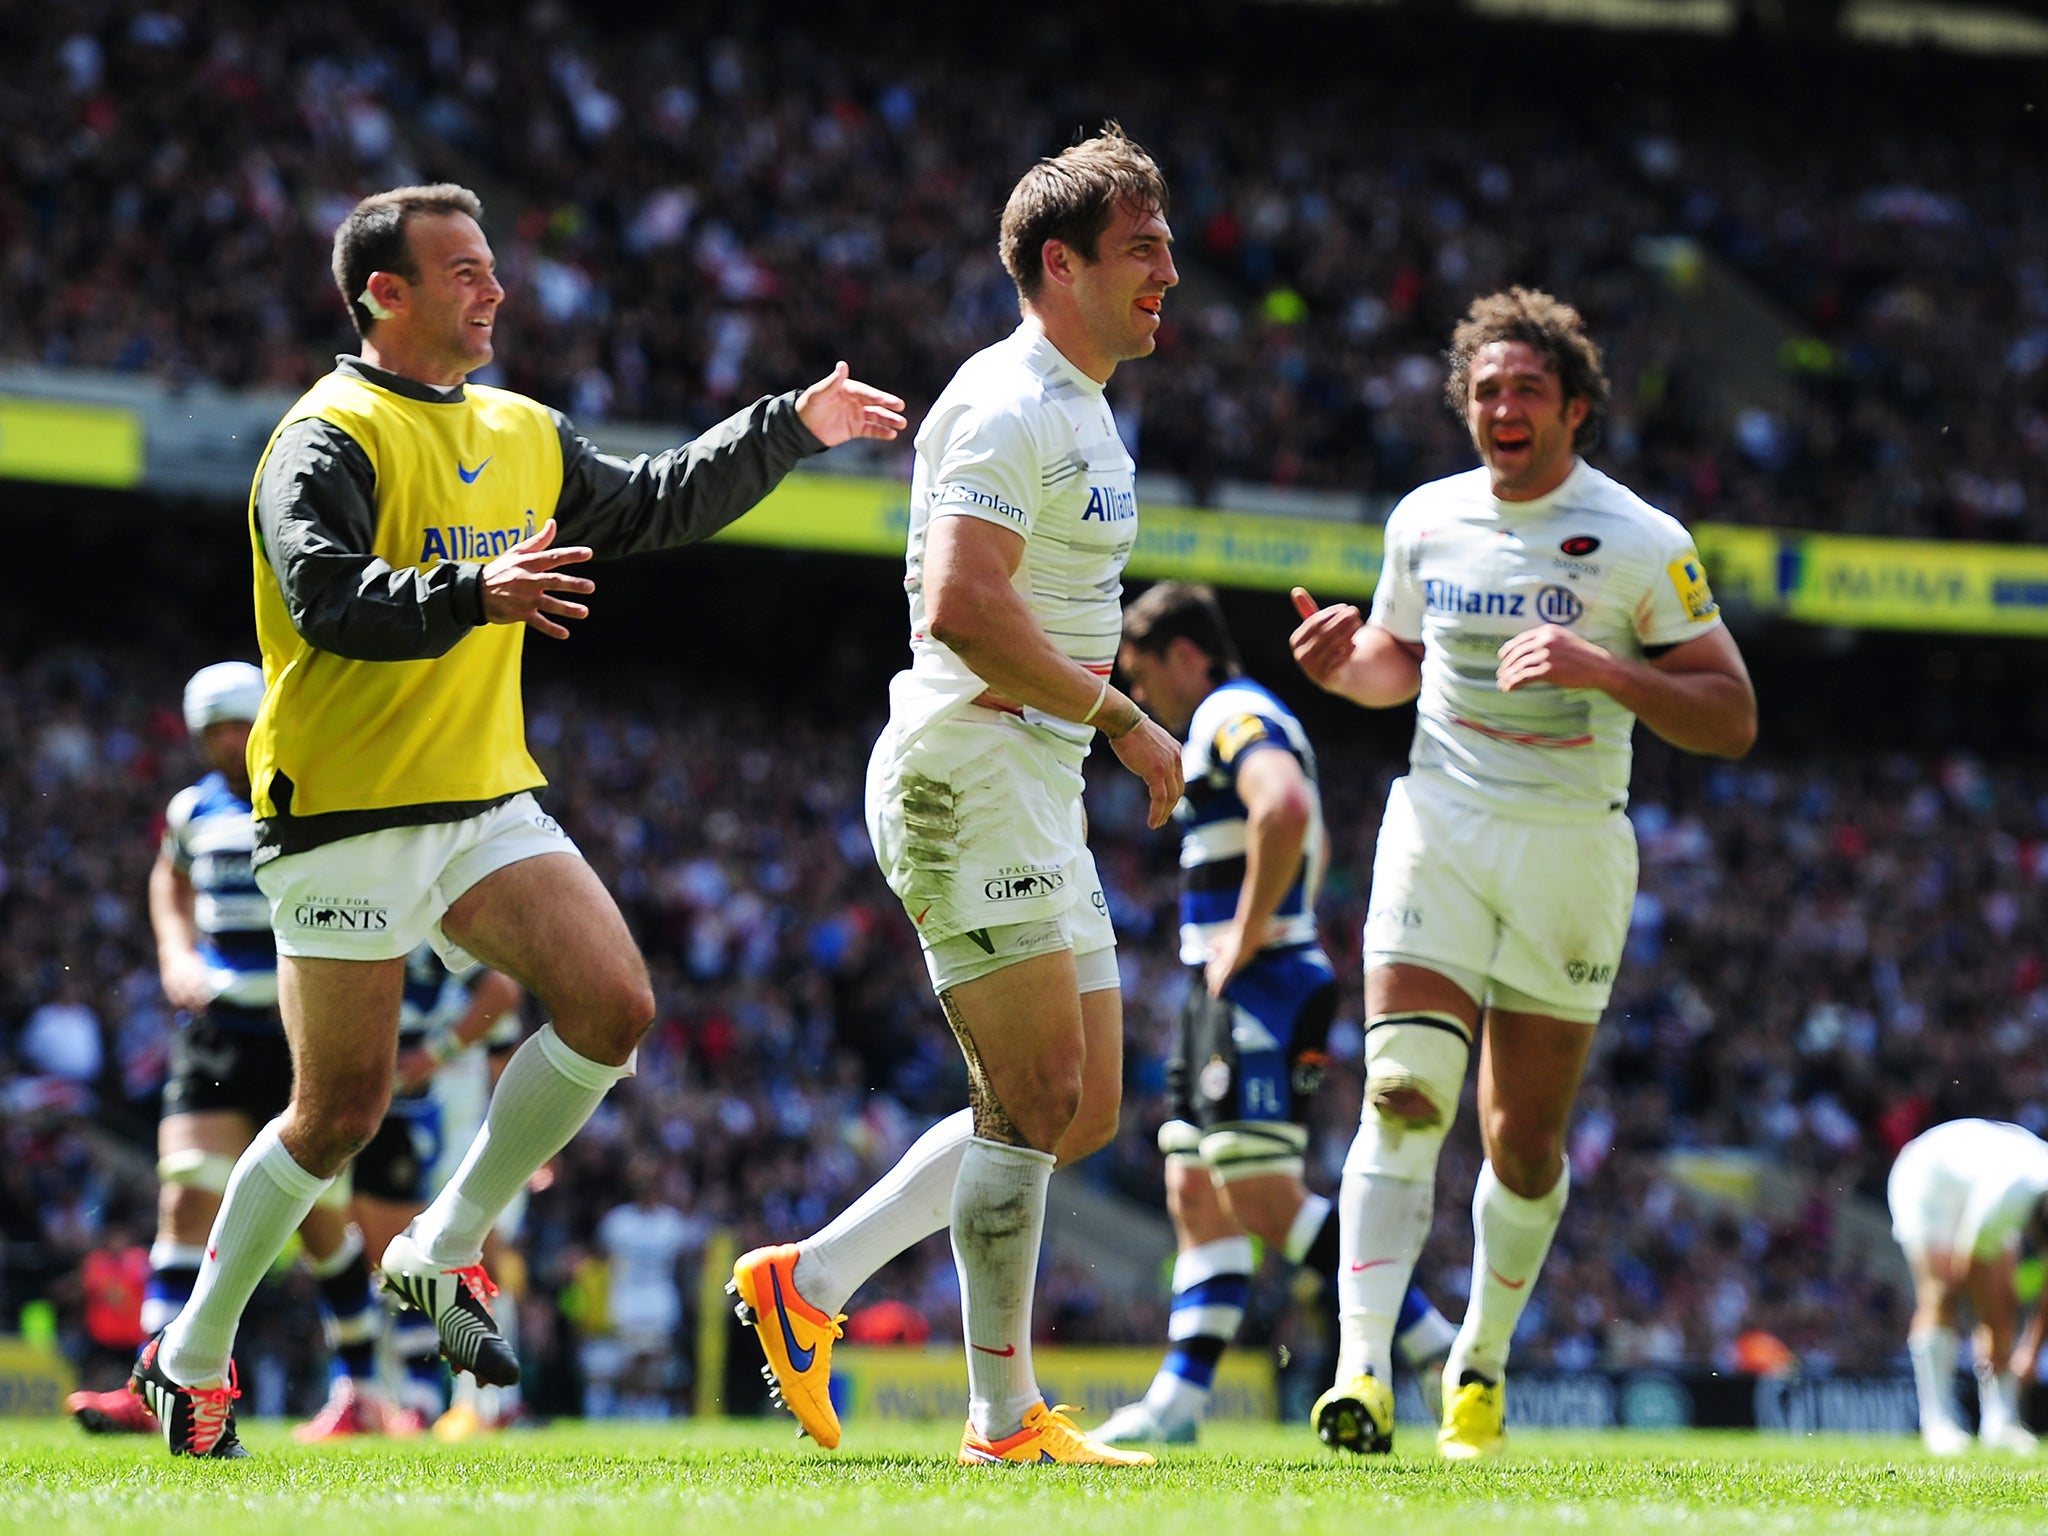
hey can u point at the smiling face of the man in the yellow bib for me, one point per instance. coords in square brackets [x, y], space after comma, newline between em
[439, 327]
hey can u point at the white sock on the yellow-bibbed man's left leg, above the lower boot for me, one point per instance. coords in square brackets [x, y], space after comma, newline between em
[265, 1201]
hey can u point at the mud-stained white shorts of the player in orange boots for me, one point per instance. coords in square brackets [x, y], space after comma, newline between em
[978, 828]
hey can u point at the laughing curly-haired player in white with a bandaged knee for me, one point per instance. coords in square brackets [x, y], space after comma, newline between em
[1539, 609]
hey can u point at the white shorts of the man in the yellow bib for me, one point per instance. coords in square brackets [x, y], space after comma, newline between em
[380, 894]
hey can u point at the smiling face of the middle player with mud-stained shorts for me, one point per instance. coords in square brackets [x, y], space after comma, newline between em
[1105, 312]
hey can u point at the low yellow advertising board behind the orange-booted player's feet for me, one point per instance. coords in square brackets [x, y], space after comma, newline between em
[910, 1381]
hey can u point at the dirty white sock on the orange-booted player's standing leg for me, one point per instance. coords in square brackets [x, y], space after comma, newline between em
[998, 1220]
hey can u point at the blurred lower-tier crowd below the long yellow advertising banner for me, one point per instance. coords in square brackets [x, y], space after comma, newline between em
[1828, 955]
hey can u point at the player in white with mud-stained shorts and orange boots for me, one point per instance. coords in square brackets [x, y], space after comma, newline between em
[1023, 517]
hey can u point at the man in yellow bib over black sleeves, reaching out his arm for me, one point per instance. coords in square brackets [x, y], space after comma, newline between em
[409, 529]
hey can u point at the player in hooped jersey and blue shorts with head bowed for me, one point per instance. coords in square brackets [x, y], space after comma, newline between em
[1248, 1046]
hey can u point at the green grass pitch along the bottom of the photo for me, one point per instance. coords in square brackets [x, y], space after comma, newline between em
[755, 1480]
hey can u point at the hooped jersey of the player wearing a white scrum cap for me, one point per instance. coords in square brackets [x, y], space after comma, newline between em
[210, 837]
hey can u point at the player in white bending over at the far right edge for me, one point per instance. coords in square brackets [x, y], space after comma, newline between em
[1963, 1195]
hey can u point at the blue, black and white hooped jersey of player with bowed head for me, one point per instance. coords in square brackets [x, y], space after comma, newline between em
[1230, 726]
